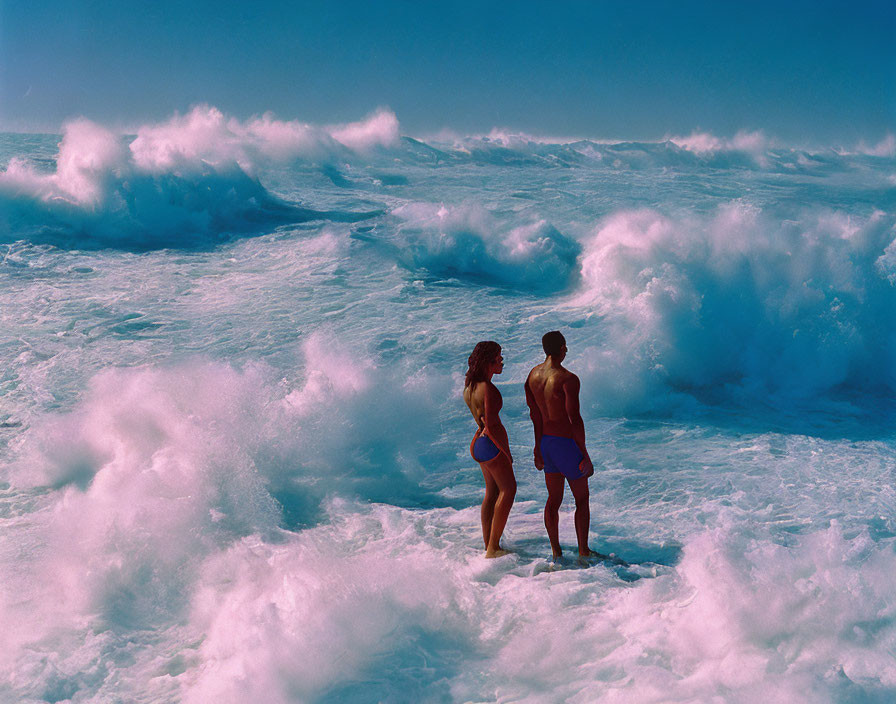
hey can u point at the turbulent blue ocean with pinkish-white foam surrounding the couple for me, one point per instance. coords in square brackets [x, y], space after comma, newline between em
[234, 456]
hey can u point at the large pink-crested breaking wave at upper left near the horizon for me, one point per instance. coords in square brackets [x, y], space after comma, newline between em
[182, 183]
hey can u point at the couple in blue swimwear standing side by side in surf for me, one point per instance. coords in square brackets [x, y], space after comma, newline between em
[552, 394]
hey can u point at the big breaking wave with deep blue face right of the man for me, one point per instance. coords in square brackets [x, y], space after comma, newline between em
[736, 304]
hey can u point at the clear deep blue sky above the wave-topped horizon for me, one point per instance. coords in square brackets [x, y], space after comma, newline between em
[801, 71]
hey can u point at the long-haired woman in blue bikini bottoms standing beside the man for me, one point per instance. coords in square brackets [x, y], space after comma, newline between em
[490, 446]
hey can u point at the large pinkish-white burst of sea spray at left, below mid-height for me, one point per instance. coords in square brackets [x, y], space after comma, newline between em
[154, 470]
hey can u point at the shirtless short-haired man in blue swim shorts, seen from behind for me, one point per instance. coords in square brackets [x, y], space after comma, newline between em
[552, 393]
